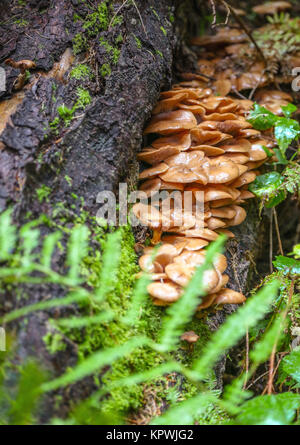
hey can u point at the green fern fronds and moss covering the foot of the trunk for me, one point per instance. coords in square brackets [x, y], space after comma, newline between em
[141, 356]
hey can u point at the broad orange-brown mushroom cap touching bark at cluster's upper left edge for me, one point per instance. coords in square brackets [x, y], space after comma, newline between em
[171, 122]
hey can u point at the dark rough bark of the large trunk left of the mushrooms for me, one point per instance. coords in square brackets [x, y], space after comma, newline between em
[98, 149]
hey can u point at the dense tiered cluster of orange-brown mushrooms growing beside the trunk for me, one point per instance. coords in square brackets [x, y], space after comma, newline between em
[201, 142]
